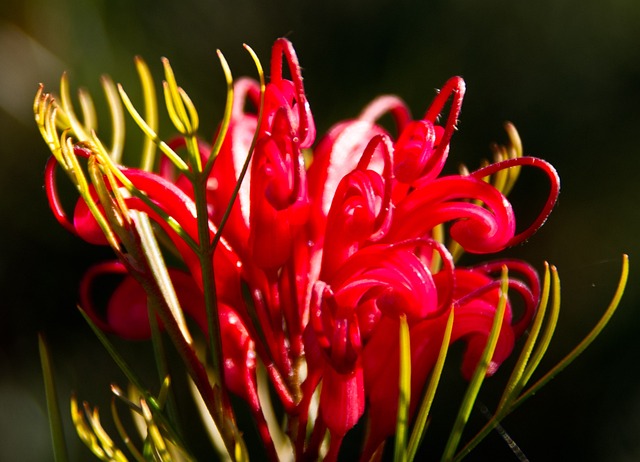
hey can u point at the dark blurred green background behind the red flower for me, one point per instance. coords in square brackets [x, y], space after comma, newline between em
[567, 73]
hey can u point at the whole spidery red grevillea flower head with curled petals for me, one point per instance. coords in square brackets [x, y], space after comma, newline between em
[322, 249]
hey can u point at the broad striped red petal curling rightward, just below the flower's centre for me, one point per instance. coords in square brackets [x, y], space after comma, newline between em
[377, 281]
